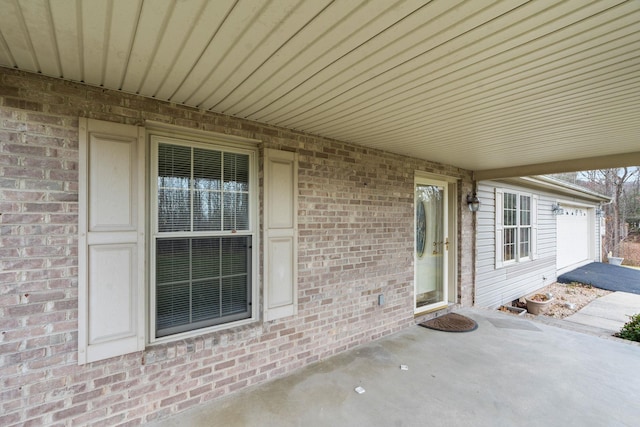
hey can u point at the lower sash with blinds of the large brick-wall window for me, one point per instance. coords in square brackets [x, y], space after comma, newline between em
[201, 282]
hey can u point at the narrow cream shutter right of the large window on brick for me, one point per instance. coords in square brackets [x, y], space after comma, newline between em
[280, 234]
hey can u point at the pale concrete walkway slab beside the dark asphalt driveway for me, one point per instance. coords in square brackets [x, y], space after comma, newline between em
[608, 313]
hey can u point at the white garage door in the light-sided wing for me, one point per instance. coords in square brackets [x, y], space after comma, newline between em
[574, 238]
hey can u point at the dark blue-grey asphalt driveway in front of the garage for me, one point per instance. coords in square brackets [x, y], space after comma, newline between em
[605, 276]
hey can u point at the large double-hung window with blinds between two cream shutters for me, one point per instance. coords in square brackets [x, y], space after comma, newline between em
[203, 239]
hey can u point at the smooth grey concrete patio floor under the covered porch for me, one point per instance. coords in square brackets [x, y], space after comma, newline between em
[510, 371]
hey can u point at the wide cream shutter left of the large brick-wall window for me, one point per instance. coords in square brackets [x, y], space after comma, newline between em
[111, 240]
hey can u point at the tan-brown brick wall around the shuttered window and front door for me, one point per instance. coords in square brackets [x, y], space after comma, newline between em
[356, 241]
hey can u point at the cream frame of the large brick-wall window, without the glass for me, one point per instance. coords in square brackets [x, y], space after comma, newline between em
[251, 150]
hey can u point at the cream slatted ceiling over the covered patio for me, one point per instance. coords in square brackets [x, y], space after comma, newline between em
[503, 88]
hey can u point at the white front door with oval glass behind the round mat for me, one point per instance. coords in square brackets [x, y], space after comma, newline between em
[431, 245]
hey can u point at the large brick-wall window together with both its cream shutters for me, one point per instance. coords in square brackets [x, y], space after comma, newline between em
[168, 235]
